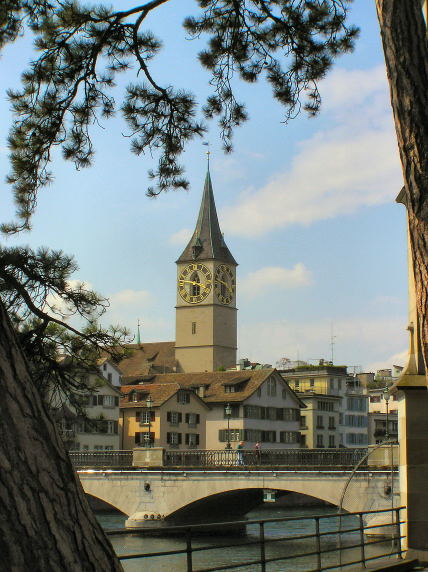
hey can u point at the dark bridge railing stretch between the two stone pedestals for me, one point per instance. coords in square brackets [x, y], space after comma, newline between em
[268, 457]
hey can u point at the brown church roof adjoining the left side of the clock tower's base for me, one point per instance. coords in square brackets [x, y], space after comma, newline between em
[148, 359]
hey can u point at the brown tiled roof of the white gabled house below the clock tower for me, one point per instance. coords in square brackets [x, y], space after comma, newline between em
[215, 383]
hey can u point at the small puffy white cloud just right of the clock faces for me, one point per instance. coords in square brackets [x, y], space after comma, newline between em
[274, 277]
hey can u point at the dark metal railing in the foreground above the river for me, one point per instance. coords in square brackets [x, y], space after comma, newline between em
[331, 544]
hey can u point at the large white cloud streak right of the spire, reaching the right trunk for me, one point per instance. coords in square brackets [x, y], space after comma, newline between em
[352, 164]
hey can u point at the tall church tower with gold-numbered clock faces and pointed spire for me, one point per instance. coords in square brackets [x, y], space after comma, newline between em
[206, 337]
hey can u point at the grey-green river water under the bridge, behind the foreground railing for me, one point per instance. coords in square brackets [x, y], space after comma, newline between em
[130, 544]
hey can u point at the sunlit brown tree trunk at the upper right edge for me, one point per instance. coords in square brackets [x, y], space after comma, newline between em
[404, 37]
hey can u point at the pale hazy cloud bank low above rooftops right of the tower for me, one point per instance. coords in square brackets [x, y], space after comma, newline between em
[359, 341]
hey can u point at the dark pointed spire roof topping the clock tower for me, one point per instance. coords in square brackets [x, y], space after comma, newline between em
[207, 242]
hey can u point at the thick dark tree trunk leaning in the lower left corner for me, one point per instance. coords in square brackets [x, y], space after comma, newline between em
[46, 524]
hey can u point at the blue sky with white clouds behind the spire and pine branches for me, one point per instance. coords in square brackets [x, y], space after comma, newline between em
[307, 210]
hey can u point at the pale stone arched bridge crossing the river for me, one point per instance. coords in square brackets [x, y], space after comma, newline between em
[152, 497]
